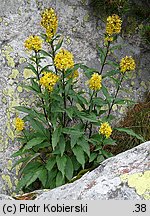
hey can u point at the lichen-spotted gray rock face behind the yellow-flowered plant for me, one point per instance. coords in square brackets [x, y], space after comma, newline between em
[18, 20]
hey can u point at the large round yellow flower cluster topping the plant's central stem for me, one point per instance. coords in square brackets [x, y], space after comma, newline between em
[64, 60]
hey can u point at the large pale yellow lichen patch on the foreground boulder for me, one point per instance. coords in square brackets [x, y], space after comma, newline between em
[139, 181]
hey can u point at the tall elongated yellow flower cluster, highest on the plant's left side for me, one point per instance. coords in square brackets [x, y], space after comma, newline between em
[50, 22]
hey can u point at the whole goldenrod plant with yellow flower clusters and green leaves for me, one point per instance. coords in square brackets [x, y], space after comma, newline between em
[65, 134]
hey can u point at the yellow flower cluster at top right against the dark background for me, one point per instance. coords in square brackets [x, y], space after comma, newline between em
[113, 25]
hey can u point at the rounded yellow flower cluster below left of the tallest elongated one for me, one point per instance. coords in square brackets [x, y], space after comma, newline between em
[33, 43]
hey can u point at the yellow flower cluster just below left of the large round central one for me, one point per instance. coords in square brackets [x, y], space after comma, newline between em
[48, 80]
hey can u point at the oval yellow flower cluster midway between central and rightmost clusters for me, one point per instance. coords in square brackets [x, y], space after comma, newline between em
[95, 83]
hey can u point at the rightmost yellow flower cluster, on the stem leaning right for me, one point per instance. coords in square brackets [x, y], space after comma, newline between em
[127, 64]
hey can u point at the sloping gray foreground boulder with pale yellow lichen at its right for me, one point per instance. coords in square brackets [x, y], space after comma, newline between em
[123, 177]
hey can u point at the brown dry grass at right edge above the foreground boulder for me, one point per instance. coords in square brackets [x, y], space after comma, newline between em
[138, 119]
